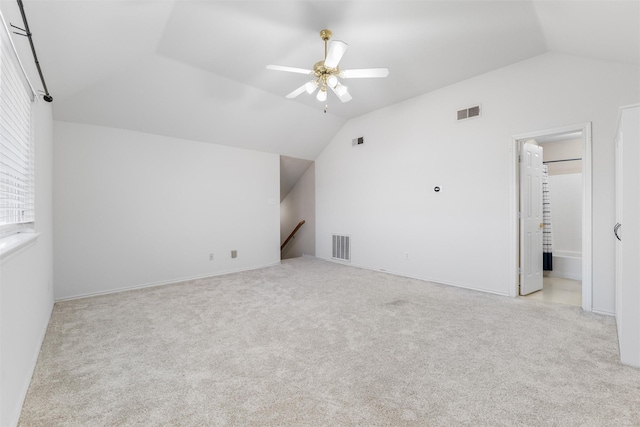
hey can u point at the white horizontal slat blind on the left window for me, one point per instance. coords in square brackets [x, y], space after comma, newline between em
[17, 205]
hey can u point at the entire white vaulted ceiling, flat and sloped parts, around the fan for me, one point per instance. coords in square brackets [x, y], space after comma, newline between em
[196, 69]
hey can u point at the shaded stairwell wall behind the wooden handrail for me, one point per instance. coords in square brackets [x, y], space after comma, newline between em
[298, 205]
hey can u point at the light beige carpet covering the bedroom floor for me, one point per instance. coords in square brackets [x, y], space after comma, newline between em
[316, 343]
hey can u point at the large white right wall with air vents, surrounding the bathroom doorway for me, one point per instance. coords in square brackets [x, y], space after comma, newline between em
[381, 193]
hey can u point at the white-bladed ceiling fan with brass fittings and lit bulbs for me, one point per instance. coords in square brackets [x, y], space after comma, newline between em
[326, 73]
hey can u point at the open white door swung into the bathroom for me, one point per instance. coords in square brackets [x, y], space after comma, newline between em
[531, 222]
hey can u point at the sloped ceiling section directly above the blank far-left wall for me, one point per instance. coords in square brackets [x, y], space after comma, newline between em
[167, 97]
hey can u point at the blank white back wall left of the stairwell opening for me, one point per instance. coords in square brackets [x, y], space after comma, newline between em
[134, 209]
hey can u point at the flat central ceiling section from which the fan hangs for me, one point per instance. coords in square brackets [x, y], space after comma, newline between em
[425, 44]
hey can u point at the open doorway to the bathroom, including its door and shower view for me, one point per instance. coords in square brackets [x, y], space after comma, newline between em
[565, 154]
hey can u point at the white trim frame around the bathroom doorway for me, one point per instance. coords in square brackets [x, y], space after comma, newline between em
[587, 220]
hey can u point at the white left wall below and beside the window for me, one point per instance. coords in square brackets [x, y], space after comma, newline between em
[26, 285]
